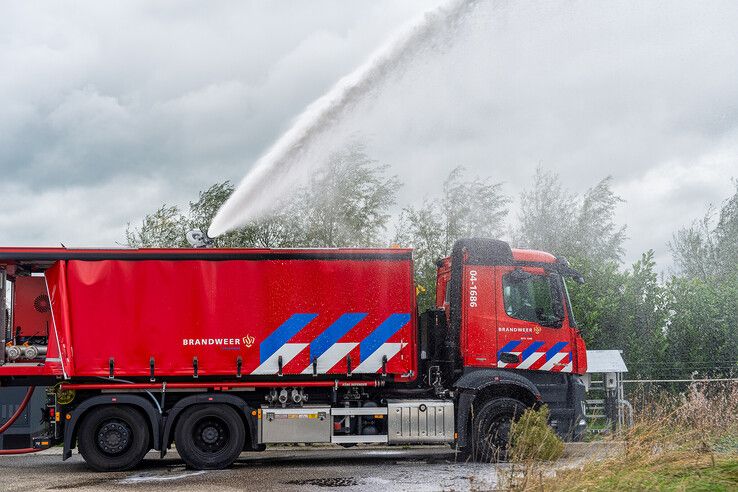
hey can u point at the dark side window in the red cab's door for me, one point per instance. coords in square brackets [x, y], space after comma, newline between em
[536, 298]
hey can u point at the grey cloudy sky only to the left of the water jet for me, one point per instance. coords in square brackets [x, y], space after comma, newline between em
[109, 109]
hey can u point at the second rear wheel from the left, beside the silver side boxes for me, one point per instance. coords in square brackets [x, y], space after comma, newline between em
[209, 437]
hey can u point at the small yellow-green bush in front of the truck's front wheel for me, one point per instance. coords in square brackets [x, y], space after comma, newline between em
[532, 439]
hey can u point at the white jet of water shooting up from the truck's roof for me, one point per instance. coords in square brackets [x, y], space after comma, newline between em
[277, 171]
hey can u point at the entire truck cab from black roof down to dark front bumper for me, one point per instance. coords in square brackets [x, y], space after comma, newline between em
[504, 329]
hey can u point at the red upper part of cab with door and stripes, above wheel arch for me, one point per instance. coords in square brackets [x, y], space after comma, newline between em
[513, 311]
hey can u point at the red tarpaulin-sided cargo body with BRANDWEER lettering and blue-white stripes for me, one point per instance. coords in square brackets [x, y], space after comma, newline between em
[286, 313]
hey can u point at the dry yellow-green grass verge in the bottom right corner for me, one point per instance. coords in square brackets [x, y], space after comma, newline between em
[686, 441]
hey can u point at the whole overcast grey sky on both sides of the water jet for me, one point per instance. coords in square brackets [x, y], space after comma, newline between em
[108, 109]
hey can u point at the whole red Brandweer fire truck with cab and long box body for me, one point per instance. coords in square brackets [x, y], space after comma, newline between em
[221, 351]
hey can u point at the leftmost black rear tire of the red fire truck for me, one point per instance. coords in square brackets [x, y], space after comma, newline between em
[113, 438]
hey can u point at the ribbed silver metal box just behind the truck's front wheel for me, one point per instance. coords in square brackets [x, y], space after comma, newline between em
[426, 421]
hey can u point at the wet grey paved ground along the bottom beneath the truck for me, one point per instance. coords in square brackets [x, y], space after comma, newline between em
[308, 469]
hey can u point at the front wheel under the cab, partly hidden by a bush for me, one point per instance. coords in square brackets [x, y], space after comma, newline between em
[491, 428]
